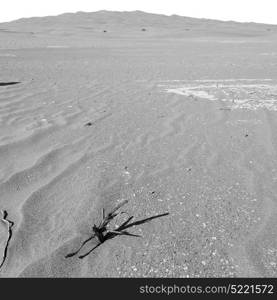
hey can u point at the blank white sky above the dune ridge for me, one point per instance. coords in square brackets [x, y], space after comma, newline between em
[263, 11]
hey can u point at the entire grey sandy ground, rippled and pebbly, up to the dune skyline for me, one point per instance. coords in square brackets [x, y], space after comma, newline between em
[183, 119]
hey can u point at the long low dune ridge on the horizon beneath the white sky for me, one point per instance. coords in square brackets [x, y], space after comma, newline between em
[136, 19]
